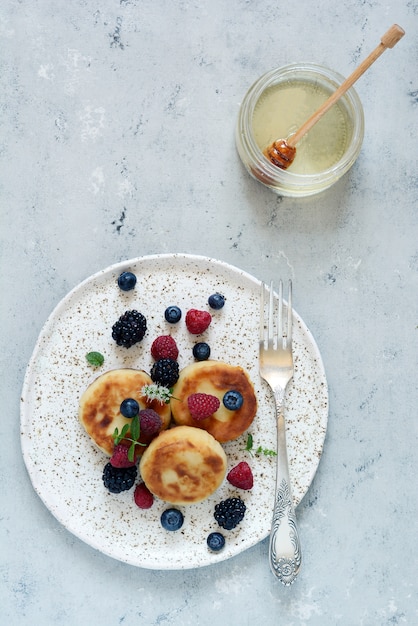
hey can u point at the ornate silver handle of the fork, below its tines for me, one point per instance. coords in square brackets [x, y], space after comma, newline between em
[284, 549]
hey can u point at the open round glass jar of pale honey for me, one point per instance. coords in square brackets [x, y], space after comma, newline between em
[276, 105]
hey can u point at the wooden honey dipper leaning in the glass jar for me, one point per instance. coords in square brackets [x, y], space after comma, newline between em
[283, 151]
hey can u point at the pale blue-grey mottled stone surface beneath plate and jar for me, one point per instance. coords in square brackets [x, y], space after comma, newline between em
[117, 140]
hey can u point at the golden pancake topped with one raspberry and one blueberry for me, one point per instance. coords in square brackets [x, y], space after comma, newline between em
[215, 378]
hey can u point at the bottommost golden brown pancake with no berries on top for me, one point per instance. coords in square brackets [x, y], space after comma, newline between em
[183, 465]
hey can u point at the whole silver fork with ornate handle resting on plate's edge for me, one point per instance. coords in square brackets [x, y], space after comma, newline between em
[276, 368]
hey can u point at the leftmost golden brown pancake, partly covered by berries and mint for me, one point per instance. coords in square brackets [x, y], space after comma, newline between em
[99, 410]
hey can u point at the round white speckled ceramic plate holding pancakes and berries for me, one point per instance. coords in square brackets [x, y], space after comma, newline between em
[65, 466]
